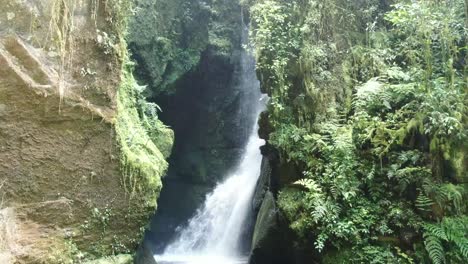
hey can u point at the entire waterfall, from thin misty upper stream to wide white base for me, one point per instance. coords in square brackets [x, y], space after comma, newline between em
[214, 234]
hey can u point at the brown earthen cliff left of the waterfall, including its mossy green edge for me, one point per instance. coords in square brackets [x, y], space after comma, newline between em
[70, 187]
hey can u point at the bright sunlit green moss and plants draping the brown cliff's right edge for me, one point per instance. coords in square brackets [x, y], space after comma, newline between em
[144, 140]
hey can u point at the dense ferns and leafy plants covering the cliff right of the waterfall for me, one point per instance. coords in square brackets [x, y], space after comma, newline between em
[368, 103]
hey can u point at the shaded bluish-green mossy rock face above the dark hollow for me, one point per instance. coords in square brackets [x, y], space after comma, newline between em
[168, 37]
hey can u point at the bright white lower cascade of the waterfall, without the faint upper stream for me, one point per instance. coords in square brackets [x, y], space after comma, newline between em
[215, 230]
